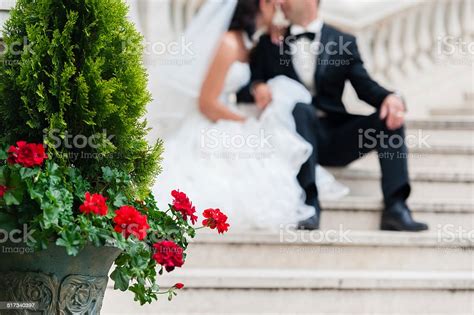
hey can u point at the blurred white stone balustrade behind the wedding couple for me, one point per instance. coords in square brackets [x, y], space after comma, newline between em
[408, 45]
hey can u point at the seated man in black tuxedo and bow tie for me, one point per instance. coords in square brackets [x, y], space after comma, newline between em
[323, 59]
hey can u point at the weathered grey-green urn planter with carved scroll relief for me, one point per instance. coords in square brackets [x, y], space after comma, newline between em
[56, 283]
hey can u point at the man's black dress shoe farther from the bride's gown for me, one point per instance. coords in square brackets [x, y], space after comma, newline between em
[398, 218]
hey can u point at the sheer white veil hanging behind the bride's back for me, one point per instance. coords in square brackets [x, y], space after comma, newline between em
[176, 76]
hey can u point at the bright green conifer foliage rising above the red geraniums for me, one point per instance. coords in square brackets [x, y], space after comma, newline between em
[73, 69]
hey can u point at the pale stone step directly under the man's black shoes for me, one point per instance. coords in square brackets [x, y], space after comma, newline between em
[334, 250]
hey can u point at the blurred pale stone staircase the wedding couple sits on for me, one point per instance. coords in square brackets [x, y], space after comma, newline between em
[349, 267]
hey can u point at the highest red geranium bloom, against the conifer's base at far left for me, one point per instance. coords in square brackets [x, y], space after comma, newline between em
[27, 154]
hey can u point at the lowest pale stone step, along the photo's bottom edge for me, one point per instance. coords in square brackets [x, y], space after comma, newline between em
[288, 291]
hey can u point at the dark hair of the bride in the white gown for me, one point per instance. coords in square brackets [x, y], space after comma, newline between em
[244, 17]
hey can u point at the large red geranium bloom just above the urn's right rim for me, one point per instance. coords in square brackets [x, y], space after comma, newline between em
[130, 221]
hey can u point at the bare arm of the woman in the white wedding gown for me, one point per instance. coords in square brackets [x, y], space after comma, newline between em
[209, 102]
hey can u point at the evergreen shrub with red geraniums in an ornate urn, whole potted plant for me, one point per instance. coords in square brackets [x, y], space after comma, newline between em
[75, 167]
